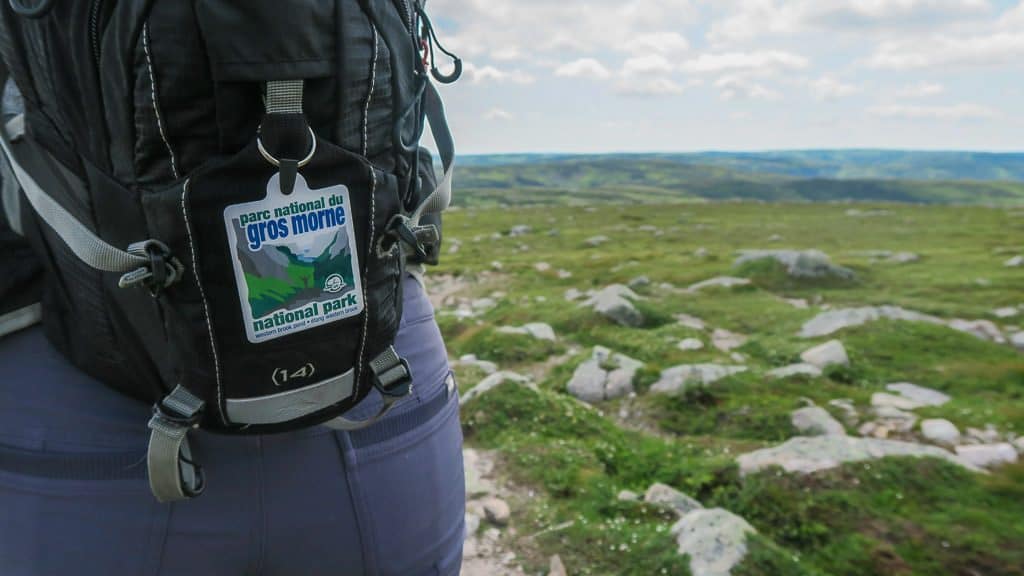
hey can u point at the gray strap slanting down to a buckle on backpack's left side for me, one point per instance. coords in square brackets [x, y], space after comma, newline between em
[87, 245]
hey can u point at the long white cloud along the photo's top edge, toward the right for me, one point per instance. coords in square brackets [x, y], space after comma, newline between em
[759, 18]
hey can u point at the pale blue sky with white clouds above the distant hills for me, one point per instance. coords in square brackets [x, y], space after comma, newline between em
[600, 76]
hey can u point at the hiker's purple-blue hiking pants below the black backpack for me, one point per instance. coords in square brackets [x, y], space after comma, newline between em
[75, 500]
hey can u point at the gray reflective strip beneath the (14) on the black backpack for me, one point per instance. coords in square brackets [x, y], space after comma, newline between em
[289, 406]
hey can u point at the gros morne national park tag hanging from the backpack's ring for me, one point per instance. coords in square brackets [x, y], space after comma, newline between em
[295, 260]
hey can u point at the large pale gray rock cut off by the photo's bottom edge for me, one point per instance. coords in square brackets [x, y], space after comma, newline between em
[715, 540]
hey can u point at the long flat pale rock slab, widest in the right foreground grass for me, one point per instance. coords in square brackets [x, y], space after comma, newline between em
[806, 456]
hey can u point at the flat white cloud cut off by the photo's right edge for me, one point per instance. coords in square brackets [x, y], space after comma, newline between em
[989, 50]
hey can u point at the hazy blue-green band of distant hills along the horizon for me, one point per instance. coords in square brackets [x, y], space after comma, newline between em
[796, 177]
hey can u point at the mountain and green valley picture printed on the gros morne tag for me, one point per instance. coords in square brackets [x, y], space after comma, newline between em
[287, 278]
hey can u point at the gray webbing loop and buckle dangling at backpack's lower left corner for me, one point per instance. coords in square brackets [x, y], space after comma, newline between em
[174, 477]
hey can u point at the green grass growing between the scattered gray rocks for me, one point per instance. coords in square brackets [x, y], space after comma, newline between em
[899, 517]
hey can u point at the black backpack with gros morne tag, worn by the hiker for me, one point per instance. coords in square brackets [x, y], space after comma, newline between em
[226, 195]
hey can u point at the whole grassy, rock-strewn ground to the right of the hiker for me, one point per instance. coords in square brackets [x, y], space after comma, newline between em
[627, 415]
